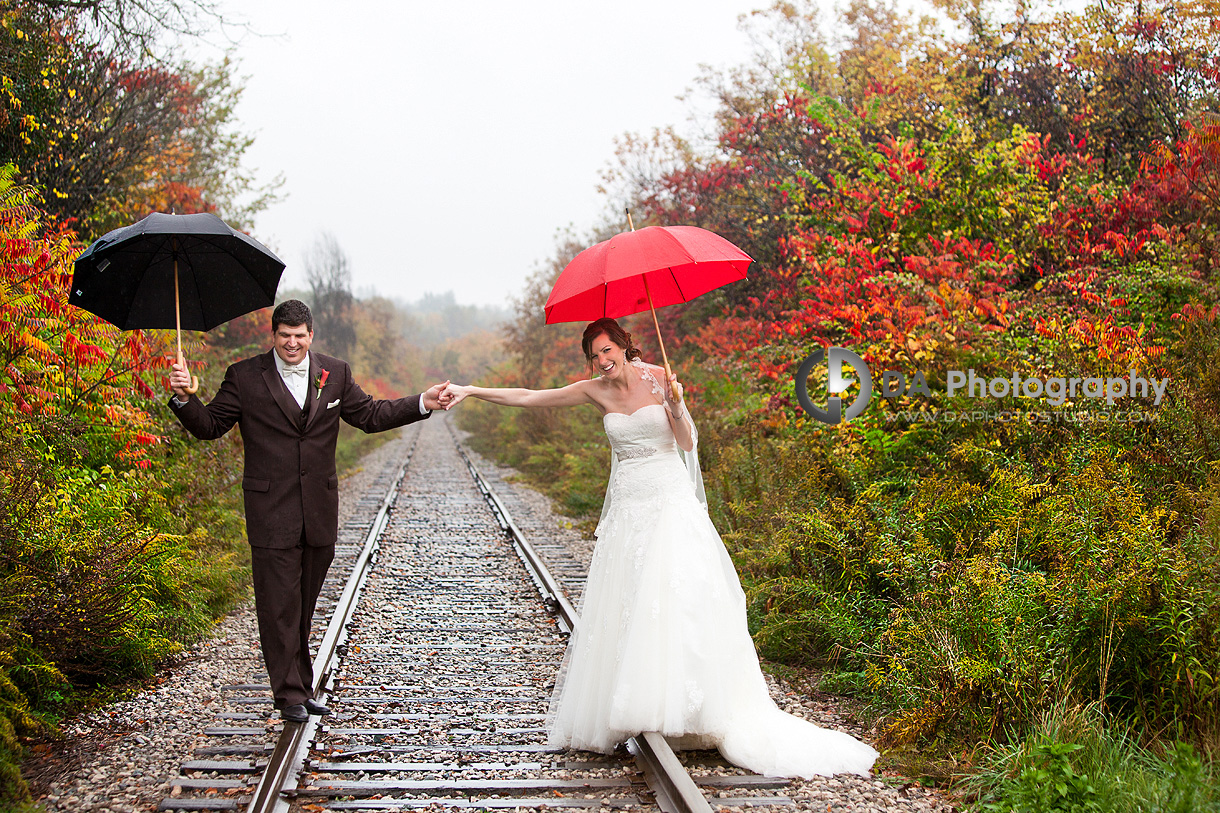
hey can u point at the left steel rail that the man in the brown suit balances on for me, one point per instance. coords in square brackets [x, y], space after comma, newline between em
[285, 765]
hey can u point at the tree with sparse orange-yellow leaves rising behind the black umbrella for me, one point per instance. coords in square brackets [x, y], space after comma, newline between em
[112, 139]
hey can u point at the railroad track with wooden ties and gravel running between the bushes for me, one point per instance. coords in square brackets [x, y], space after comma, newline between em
[439, 661]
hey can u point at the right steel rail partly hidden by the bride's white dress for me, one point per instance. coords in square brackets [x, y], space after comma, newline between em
[675, 792]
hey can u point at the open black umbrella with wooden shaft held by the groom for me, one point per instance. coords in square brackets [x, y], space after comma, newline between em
[176, 272]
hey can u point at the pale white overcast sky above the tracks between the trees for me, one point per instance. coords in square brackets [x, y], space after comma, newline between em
[445, 143]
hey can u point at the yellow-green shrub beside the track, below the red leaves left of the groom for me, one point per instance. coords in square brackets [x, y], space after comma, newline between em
[102, 577]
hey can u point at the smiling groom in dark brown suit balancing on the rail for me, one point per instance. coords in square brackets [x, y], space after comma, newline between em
[289, 403]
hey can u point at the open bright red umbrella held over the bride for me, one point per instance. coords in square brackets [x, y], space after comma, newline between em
[644, 270]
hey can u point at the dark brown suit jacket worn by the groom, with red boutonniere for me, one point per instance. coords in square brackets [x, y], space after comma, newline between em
[290, 482]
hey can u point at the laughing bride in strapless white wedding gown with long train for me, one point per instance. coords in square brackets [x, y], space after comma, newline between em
[662, 644]
